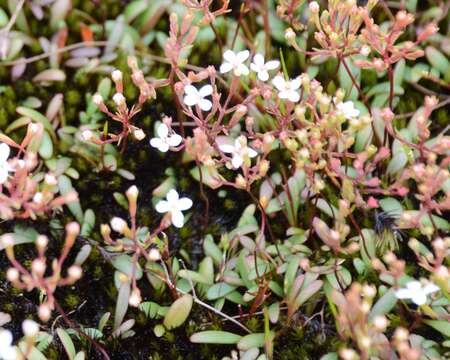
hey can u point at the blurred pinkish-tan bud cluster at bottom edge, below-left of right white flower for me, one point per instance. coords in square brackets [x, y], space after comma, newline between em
[354, 323]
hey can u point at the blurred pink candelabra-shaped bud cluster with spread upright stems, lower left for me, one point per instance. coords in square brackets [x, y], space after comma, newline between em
[36, 278]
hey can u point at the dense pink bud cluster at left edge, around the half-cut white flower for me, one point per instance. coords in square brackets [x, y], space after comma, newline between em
[23, 195]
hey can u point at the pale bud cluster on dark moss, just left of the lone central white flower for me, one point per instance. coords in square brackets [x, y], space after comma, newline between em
[133, 242]
